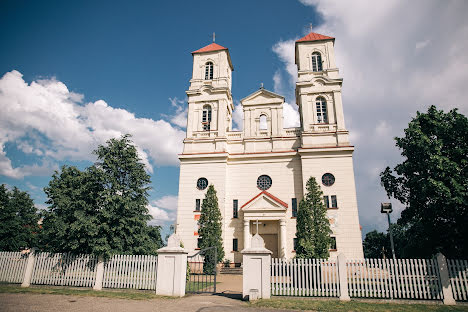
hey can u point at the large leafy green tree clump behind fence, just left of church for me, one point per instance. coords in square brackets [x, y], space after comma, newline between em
[101, 210]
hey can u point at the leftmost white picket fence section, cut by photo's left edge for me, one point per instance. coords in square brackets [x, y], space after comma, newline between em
[12, 266]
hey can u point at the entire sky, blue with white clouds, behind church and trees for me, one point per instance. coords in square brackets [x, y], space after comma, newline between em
[74, 74]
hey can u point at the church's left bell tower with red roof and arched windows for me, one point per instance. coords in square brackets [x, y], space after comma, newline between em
[210, 104]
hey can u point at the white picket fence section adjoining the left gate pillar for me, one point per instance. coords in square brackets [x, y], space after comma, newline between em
[137, 272]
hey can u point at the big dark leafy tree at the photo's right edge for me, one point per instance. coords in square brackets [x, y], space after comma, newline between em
[432, 183]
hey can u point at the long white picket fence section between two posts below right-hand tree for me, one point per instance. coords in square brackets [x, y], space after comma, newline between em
[394, 279]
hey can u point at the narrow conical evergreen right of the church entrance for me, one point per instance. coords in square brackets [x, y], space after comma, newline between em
[312, 227]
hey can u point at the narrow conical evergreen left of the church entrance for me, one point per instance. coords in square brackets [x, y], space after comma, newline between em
[210, 230]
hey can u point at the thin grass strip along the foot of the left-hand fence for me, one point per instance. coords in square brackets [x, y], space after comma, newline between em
[85, 292]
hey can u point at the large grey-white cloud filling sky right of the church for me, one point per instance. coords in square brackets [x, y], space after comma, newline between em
[391, 68]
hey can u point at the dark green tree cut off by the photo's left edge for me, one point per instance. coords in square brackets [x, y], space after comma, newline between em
[18, 220]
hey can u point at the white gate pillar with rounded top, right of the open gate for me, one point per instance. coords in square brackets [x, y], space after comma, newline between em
[256, 270]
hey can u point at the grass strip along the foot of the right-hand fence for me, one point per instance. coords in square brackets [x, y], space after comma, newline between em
[358, 306]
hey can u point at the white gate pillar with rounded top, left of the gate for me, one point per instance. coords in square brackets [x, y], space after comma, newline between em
[172, 268]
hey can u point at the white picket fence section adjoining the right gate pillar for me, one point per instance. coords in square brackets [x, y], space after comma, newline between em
[304, 277]
